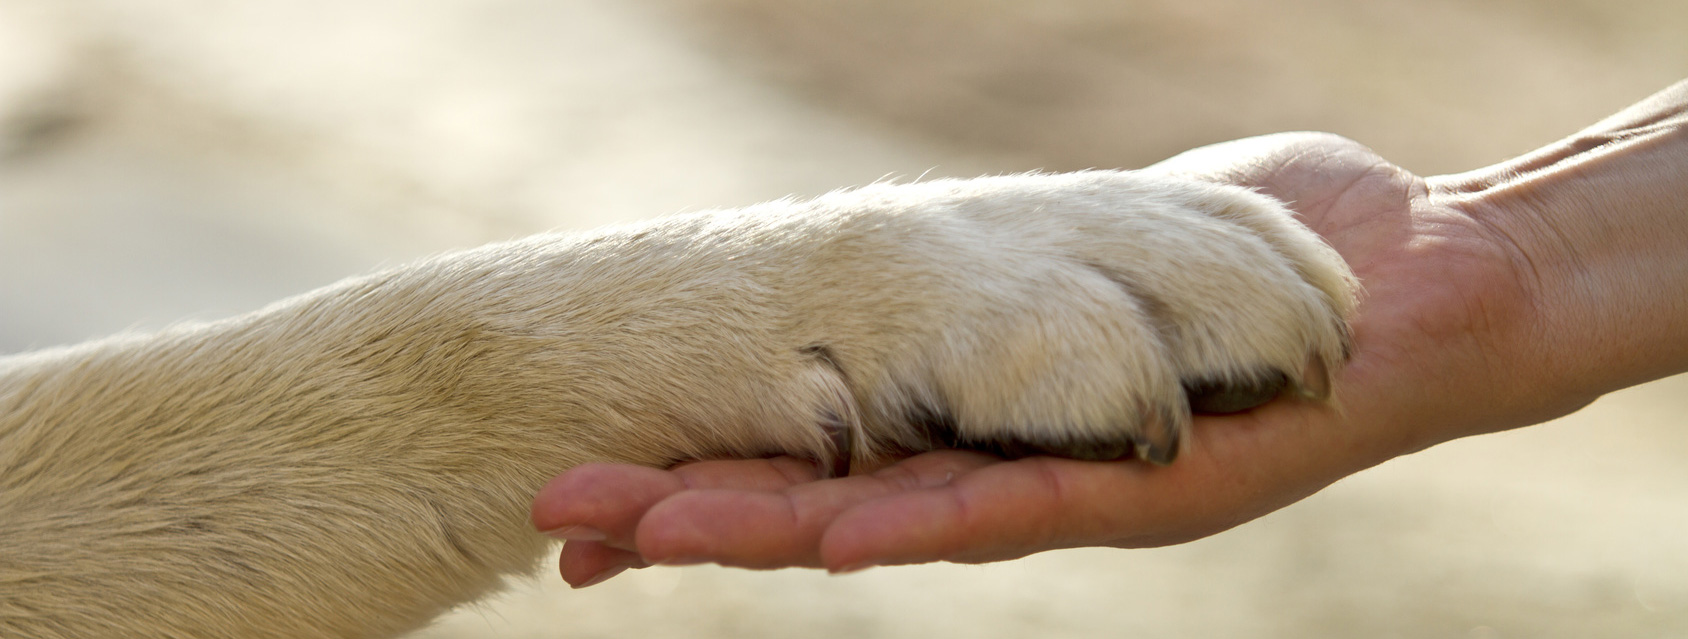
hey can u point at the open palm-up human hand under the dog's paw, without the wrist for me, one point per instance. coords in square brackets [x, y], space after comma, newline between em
[1437, 341]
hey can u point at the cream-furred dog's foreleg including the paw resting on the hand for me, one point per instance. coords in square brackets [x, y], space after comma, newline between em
[359, 459]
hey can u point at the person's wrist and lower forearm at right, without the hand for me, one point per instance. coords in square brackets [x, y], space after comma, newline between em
[1601, 227]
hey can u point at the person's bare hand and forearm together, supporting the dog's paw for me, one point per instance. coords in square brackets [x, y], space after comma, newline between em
[1495, 299]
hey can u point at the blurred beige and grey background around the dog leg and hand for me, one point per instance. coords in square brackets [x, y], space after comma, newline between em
[193, 159]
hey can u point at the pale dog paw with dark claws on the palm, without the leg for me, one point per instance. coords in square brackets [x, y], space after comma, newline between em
[1081, 316]
